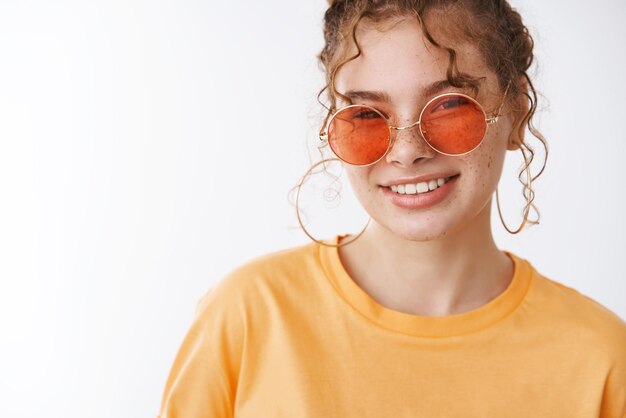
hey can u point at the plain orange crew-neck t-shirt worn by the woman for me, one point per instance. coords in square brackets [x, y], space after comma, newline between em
[290, 334]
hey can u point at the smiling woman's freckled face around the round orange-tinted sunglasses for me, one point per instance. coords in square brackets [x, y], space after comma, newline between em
[398, 62]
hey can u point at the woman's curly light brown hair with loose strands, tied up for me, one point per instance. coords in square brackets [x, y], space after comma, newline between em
[492, 26]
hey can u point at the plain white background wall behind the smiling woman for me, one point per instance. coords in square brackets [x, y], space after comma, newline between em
[148, 147]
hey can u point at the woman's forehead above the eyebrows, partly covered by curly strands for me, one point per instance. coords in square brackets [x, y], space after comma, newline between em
[398, 60]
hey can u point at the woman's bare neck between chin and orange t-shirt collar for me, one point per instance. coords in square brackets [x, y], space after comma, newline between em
[453, 274]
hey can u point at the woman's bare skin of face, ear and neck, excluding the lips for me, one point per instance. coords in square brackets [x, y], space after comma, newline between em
[439, 260]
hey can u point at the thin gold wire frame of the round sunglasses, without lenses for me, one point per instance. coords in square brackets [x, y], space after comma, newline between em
[489, 120]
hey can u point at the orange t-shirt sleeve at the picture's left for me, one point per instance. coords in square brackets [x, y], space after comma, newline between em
[202, 380]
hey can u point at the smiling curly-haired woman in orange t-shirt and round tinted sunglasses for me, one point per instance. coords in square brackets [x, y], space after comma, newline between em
[421, 315]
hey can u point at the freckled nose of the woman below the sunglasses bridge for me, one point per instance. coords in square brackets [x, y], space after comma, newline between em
[408, 147]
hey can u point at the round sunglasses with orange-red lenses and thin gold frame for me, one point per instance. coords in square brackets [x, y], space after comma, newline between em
[451, 123]
